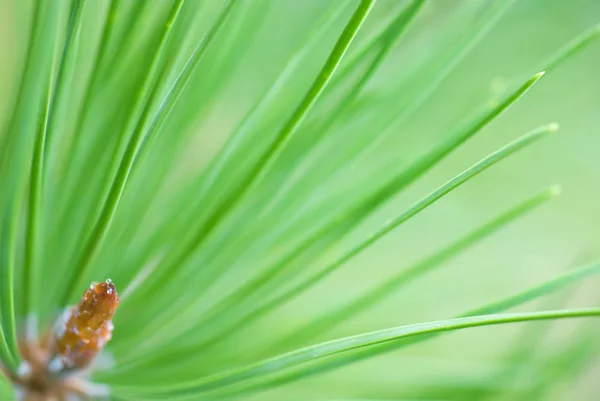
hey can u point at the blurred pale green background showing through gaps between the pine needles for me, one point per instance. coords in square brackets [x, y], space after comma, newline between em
[545, 243]
